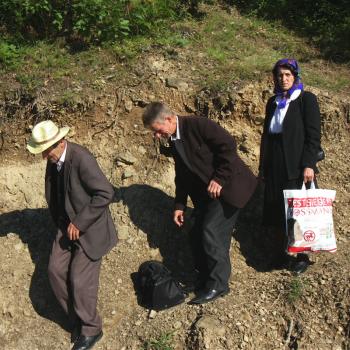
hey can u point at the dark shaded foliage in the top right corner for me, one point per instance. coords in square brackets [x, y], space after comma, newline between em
[326, 23]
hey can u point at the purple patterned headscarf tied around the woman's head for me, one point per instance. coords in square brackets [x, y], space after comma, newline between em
[293, 66]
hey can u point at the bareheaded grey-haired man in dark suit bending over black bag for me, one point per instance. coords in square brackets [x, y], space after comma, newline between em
[209, 170]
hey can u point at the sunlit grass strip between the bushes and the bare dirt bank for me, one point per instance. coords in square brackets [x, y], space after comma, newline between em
[224, 48]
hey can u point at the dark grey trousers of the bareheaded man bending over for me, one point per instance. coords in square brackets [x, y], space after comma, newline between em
[210, 240]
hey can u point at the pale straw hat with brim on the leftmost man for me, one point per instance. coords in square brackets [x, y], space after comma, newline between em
[44, 135]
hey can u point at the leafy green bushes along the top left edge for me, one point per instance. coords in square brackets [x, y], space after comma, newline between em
[93, 21]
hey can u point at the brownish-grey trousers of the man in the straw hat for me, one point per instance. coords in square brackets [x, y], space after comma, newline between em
[74, 278]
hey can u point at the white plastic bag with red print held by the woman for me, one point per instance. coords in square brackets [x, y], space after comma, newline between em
[309, 220]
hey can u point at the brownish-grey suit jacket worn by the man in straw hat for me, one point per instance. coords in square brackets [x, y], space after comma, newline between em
[87, 196]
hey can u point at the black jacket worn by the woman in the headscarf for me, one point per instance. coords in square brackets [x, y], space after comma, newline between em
[301, 134]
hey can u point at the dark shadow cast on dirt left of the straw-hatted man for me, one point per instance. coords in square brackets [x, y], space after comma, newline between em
[35, 229]
